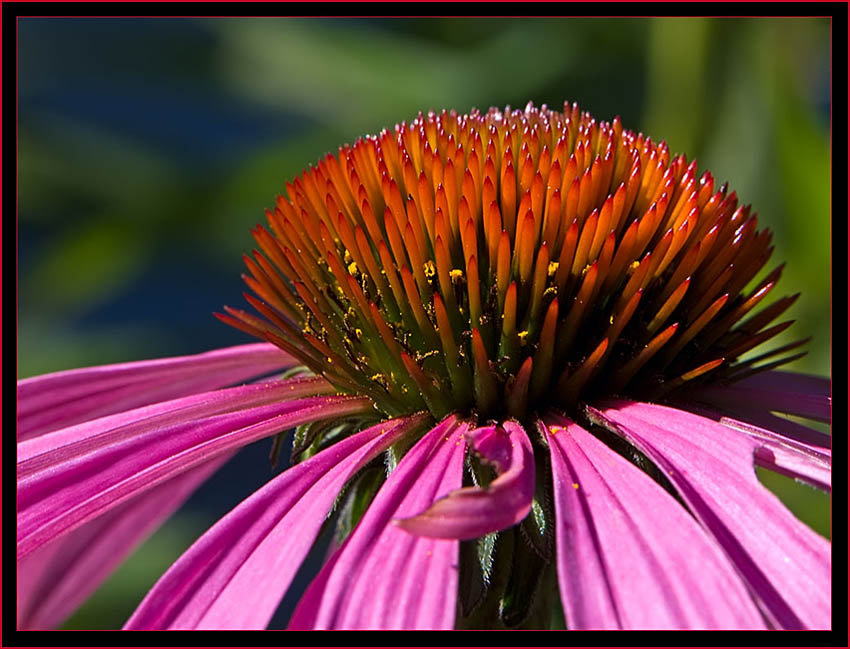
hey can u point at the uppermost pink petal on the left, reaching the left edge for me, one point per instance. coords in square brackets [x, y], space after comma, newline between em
[61, 399]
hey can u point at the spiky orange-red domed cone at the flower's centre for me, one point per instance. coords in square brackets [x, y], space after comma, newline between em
[500, 263]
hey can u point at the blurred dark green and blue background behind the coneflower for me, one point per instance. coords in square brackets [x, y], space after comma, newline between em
[149, 147]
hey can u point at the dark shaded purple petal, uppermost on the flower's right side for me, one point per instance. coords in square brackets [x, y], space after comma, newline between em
[794, 394]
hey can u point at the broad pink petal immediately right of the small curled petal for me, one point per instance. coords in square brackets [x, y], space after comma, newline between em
[629, 556]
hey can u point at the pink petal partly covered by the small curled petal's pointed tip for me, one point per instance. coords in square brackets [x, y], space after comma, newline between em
[382, 577]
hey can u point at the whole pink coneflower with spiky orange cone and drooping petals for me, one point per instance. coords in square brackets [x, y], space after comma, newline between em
[538, 322]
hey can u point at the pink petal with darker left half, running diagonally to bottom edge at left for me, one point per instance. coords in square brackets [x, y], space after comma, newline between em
[235, 575]
